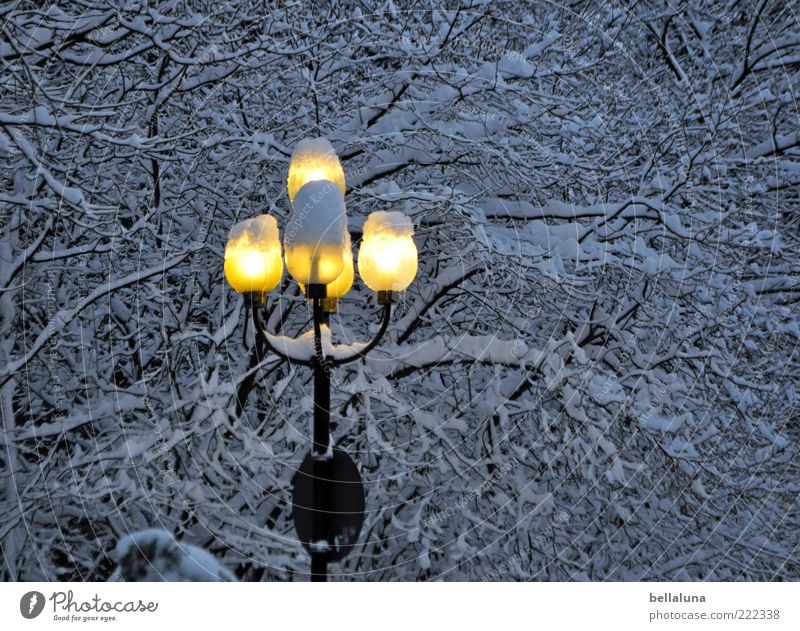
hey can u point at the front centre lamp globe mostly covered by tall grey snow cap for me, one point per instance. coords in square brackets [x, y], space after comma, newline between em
[316, 236]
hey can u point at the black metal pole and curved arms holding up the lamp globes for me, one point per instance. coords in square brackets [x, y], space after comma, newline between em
[324, 540]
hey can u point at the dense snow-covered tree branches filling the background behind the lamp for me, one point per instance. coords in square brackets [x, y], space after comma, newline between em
[593, 376]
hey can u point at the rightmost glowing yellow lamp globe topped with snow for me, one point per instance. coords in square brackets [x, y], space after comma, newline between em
[387, 257]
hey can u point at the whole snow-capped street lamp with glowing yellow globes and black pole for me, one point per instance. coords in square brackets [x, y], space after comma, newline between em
[328, 496]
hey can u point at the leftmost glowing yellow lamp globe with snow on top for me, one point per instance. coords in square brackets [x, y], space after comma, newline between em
[253, 261]
